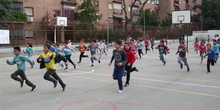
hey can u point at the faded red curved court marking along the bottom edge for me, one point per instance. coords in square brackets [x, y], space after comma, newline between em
[114, 107]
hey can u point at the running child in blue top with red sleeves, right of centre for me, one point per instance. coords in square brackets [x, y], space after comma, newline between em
[163, 49]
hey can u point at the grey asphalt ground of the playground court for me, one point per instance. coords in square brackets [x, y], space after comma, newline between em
[154, 87]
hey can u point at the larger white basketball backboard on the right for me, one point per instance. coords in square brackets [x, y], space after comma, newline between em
[179, 17]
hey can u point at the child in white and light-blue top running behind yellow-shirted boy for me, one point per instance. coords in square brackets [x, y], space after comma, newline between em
[67, 52]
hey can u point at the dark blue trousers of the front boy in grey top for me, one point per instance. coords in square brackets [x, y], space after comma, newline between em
[118, 74]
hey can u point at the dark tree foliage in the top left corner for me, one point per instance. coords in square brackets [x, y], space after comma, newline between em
[5, 6]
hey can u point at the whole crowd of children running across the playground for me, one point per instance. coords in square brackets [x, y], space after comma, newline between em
[124, 56]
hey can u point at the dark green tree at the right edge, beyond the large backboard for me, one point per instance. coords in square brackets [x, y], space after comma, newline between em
[210, 14]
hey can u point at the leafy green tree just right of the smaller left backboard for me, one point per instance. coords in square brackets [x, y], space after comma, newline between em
[88, 12]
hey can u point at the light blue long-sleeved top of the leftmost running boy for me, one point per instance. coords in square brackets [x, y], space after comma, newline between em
[20, 61]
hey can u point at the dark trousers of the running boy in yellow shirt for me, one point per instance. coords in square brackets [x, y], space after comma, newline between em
[53, 73]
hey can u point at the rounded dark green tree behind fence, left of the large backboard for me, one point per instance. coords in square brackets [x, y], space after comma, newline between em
[151, 19]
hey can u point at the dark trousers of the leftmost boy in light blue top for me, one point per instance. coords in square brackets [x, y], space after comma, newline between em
[23, 77]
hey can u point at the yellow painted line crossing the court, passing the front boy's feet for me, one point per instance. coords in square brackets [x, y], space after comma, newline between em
[152, 87]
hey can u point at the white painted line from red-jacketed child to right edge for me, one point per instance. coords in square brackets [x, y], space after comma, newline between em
[178, 78]
